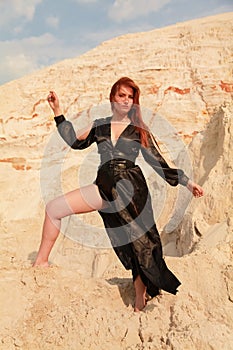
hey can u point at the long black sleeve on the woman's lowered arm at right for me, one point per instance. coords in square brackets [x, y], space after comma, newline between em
[158, 163]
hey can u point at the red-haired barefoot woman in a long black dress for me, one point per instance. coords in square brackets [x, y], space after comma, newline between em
[120, 193]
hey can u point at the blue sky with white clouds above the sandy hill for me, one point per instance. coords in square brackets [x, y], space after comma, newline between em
[38, 33]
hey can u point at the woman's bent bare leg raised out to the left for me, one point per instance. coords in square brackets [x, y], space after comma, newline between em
[83, 200]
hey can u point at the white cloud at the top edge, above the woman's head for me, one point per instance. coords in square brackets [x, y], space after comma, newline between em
[129, 9]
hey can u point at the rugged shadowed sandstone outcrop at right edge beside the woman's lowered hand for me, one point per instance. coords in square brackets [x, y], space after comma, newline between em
[212, 154]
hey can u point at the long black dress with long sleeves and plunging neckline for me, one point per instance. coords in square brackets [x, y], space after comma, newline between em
[128, 218]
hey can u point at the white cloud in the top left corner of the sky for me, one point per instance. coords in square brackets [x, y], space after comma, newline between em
[12, 9]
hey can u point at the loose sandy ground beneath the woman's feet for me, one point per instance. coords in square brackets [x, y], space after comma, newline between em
[64, 307]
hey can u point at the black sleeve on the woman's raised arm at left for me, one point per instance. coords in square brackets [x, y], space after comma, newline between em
[66, 130]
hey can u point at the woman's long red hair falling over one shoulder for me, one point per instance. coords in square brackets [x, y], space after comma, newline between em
[135, 114]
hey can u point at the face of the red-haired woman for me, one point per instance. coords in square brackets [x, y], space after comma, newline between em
[123, 100]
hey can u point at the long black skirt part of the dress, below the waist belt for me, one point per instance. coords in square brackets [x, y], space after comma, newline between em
[131, 228]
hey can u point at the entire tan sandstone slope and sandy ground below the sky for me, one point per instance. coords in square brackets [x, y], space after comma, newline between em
[185, 75]
